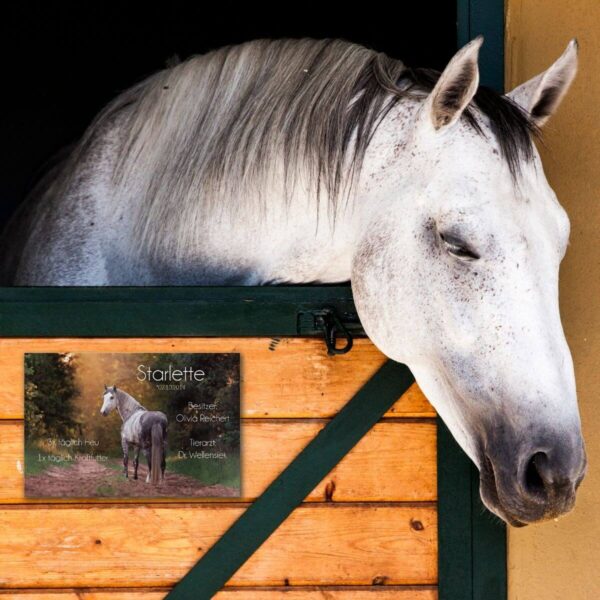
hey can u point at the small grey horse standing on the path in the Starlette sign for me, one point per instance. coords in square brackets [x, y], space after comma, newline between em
[143, 429]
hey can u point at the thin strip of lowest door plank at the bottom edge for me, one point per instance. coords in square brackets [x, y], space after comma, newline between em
[377, 592]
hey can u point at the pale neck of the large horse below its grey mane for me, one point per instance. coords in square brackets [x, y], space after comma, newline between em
[295, 241]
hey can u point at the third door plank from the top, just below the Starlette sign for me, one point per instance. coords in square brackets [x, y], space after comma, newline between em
[156, 545]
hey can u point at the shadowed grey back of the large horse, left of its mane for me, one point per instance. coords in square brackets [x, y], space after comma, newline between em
[59, 234]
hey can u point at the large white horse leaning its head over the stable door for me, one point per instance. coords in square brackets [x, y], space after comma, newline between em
[299, 161]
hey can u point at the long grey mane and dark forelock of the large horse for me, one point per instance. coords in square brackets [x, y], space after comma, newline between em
[219, 128]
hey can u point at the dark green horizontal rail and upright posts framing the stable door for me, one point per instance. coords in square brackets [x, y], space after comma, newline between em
[472, 543]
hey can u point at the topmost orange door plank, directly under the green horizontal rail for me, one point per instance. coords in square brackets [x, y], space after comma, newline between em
[286, 378]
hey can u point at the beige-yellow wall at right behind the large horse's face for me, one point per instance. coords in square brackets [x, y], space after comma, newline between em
[561, 560]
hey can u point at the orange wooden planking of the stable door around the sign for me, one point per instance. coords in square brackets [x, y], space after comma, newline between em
[368, 529]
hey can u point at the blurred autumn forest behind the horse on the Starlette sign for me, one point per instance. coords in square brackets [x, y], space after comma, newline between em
[63, 397]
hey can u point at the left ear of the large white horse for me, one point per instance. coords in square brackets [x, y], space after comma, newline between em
[456, 86]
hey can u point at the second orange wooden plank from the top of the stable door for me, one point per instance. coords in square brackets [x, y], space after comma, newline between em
[395, 461]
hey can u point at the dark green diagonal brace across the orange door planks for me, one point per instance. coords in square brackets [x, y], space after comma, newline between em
[310, 467]
